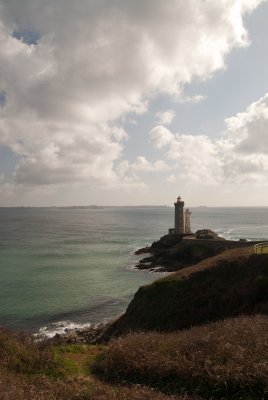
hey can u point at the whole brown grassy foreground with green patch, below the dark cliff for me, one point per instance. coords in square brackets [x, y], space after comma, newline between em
[224, 360]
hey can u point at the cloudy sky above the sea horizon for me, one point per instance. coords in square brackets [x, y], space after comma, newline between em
[123, 102]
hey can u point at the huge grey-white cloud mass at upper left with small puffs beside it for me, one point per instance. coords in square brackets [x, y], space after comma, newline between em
[90, 64]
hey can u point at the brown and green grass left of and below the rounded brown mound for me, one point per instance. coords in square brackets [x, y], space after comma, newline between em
[28, 371]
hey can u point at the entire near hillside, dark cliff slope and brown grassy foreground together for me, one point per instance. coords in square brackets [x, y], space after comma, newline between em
[222, 360]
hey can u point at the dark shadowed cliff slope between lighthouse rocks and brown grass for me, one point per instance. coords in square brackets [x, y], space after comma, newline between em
[230, 284]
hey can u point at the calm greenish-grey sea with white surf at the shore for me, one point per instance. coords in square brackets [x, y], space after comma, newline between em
[69, 268]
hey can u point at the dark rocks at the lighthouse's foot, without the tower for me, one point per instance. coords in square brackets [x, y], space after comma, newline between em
[170, 253]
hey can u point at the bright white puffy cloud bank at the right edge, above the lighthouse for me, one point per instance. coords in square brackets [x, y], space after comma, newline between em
[240, 155]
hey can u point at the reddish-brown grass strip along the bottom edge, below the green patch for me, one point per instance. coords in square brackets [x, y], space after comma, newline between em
[14, 387]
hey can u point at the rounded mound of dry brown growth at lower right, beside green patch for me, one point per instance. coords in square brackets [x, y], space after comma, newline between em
[223, 360]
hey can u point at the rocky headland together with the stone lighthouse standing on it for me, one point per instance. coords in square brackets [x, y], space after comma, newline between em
[181, 247]
